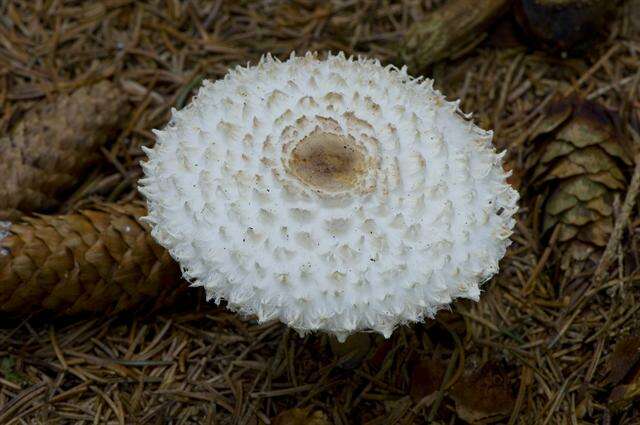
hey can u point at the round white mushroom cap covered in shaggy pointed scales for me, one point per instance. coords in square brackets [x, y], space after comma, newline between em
[336, 195]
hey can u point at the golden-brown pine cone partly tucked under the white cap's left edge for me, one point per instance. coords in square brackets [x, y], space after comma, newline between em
[100, 260]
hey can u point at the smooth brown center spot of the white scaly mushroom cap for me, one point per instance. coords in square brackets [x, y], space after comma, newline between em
[328, 161]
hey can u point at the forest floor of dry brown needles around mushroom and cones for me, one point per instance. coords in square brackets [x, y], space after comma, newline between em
[536, 350]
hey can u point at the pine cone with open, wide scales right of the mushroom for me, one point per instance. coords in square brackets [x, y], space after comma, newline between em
[578, 167]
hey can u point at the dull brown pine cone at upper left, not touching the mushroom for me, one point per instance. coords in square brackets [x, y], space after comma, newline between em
[53, 146]
